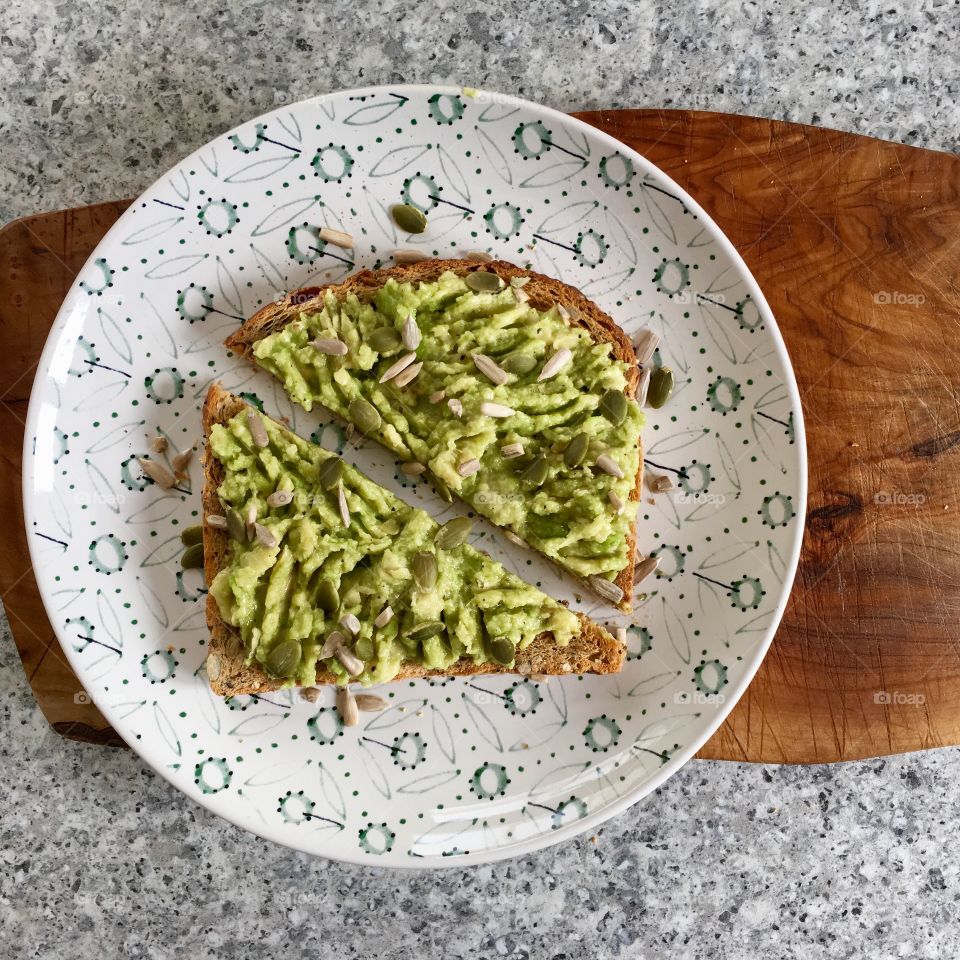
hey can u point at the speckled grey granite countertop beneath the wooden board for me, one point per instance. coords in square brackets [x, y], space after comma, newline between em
[101, 858]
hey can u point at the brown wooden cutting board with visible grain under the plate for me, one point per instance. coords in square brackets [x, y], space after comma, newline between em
[856, 244]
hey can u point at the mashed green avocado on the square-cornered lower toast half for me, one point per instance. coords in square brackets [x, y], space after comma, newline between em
[308, 574]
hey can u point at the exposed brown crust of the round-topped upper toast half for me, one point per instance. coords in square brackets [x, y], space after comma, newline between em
[543, 292]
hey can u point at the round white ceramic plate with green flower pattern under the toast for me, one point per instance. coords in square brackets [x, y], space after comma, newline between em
[460, 771]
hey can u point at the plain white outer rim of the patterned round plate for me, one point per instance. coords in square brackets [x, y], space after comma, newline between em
[611, 809]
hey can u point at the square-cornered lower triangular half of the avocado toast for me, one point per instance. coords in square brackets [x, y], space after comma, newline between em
[304, 556]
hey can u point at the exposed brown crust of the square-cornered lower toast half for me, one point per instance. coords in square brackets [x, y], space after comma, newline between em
[593, 650]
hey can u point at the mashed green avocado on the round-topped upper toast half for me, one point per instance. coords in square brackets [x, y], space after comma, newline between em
[574, 514]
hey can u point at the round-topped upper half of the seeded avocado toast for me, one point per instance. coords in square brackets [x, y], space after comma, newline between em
[504, 387]
